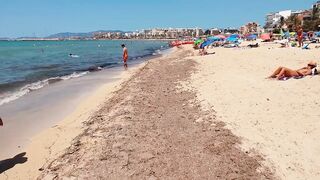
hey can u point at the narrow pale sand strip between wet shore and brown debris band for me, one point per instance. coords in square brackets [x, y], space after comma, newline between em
[50, 142]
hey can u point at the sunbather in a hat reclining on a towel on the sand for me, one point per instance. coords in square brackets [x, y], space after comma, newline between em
[283, 73]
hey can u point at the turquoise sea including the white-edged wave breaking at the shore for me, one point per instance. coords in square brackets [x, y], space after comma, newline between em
[26, 66]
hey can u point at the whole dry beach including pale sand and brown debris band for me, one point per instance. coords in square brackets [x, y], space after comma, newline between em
[184, 116]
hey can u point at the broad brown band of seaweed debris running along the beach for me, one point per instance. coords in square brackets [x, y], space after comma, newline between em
[153, 128]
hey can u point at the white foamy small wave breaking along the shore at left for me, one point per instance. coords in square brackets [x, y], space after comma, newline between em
[8, 97]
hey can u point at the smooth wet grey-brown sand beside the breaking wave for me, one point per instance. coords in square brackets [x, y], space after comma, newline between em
[42, 109]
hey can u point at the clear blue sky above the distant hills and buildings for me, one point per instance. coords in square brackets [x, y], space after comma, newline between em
[44, 17]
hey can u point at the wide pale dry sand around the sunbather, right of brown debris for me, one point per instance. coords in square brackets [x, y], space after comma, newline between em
[280, 119]
